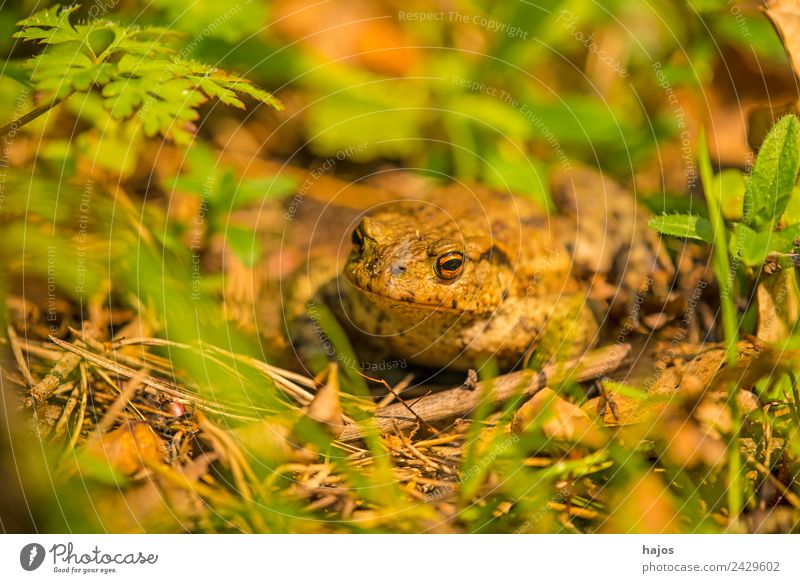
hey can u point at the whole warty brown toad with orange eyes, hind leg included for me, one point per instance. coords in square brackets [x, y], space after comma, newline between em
[529, 281]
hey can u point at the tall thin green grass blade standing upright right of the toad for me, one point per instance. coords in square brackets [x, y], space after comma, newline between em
[729, 325]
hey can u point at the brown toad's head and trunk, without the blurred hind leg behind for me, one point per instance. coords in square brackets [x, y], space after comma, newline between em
[512, 291]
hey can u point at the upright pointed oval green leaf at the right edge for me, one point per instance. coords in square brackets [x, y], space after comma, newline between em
[774, 175]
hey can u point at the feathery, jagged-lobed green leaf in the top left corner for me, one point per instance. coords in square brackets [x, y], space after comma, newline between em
[136, 72]
